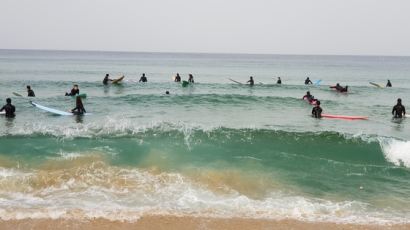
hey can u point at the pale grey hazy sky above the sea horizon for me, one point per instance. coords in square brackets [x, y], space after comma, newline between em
[361, 27]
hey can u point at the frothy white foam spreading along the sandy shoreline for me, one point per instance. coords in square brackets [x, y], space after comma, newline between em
[144, 193]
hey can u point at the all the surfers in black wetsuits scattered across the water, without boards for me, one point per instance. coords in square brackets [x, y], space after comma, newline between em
[398, 110]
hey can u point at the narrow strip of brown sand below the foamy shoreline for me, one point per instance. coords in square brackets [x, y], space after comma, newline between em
[182, 223]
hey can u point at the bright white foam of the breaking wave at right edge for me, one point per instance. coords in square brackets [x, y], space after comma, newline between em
[396, 151]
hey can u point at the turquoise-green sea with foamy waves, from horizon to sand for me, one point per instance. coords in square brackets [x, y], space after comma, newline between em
[212, 149]
